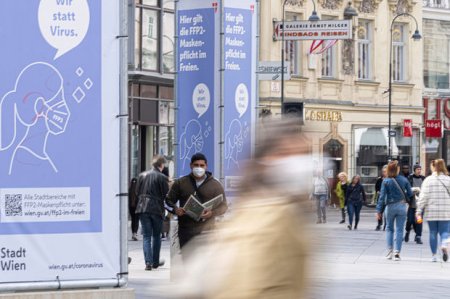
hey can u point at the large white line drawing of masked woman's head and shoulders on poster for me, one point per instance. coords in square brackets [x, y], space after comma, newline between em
[30, 113]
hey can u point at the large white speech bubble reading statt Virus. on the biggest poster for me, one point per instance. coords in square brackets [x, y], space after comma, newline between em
[63, 23]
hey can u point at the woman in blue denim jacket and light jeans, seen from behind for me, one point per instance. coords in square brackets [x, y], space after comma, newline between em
[394, 195]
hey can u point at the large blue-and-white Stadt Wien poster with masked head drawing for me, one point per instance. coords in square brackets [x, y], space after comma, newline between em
[52, 142]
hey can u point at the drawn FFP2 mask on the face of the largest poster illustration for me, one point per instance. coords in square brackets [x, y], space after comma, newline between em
[57, 116]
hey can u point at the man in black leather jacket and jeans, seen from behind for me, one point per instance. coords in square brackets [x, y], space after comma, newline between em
[151, 189]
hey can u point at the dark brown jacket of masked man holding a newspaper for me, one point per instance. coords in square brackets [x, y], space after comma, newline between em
[186, 186]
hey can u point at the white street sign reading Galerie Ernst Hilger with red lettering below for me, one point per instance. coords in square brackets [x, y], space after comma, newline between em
[318, 30]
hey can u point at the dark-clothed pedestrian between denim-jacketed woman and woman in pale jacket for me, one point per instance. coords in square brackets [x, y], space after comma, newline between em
[415, 180]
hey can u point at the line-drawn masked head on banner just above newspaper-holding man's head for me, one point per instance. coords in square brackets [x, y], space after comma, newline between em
[191, 141]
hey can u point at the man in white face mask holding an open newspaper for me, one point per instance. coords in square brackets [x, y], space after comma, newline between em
[204, 187]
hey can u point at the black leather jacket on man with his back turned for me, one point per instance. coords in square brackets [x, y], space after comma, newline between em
[151, 188]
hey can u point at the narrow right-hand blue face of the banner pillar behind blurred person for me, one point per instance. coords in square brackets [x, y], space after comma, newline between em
[239, 87]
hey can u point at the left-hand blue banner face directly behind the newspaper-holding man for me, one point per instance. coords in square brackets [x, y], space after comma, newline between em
[196, 81]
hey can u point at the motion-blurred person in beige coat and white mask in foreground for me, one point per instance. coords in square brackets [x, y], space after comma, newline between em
[262, 251]
